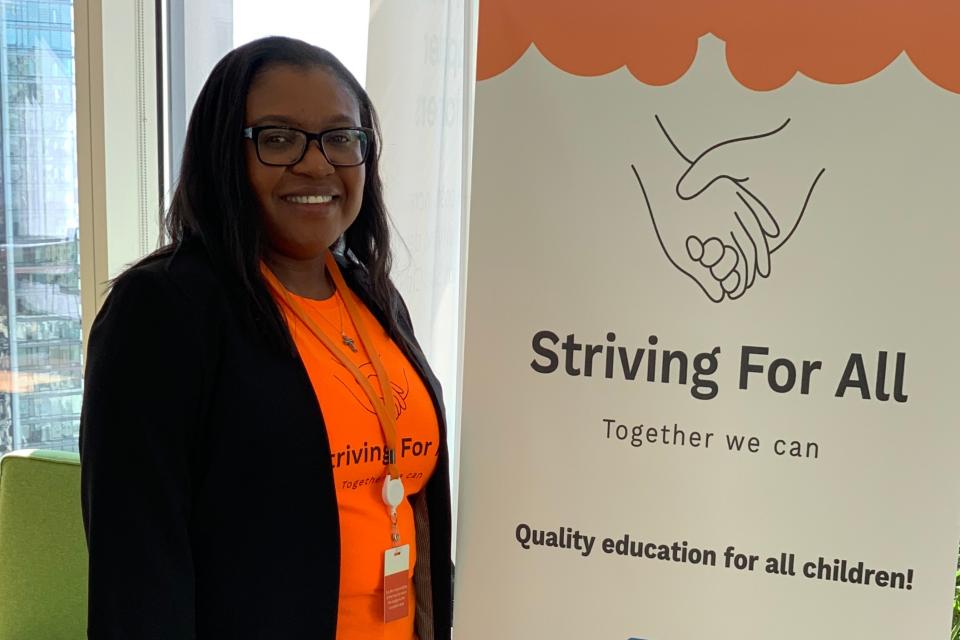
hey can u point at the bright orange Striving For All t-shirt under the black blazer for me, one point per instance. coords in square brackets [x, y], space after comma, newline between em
[356, 453]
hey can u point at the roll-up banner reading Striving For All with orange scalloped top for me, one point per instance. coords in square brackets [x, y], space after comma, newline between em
[712, 327]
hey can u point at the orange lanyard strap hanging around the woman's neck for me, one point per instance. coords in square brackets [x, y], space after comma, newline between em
[382, 404]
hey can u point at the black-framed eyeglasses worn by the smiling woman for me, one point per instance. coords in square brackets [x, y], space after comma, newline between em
[286, 146]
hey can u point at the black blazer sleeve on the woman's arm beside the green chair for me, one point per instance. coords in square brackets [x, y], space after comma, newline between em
[141, 412]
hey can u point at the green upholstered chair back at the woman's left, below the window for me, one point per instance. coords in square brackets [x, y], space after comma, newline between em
[43, 554]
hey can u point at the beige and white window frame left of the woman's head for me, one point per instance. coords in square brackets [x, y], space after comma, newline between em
[117, 166]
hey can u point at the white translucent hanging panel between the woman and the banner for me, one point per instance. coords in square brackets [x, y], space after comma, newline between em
[416, 78]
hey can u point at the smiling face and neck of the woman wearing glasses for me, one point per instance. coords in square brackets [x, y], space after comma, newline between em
[307, 199]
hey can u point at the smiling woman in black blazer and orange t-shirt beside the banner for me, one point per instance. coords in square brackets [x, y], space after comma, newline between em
[236, 439]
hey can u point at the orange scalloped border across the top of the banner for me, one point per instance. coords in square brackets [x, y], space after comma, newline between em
[767, 41]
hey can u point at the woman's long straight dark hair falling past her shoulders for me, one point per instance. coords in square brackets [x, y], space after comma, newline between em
[214, 202]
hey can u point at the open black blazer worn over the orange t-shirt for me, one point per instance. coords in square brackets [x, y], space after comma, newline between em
[208, 494]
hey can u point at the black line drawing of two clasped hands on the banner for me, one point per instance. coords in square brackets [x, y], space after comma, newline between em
[717, 229]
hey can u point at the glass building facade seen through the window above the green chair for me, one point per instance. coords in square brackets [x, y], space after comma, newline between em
[40, 330]
